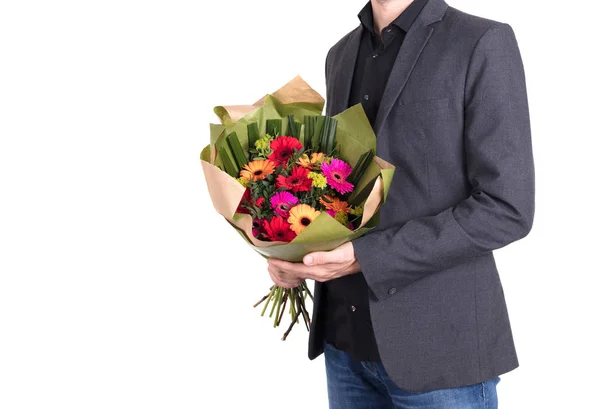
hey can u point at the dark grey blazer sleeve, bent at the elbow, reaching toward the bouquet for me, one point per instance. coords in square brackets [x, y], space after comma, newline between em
[498, 149]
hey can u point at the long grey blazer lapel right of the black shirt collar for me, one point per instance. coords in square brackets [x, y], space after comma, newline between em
[415, 41]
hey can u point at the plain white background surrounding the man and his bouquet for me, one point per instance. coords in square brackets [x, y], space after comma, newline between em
[120, 287]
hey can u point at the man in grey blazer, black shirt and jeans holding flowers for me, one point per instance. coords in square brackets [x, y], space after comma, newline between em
[413, 314]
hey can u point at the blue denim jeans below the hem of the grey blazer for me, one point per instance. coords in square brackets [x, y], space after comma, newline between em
[365, 385]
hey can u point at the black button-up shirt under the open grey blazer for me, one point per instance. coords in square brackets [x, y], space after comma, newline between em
[347, 317]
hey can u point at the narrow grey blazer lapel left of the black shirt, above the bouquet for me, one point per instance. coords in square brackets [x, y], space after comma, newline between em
[342, 77]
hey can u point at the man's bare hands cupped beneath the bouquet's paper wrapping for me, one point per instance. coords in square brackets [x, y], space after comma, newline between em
[319, 266]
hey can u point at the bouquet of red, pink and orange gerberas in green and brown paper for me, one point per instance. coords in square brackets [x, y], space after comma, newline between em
[292, 181]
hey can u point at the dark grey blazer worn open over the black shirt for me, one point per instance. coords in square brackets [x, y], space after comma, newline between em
[454, 121]
